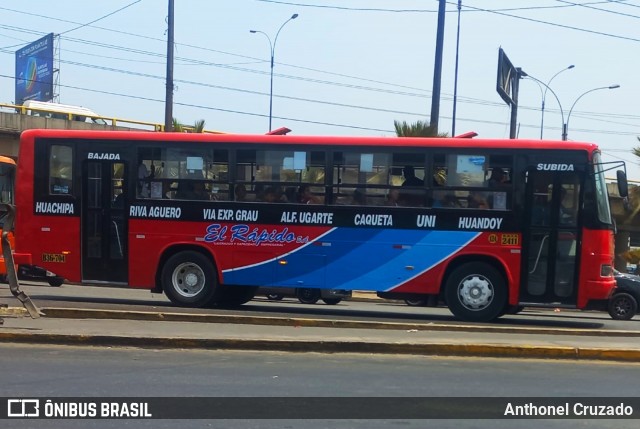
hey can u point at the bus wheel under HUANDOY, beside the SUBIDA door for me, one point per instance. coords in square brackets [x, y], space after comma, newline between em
[476, 292]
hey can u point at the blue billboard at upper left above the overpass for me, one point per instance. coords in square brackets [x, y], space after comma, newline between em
[34, 71]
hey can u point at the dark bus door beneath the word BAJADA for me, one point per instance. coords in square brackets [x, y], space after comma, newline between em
[104, 221]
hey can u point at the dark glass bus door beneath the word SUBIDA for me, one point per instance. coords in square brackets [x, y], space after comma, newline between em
[551, 238]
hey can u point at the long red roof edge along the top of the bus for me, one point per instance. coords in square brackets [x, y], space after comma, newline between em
[318, 140]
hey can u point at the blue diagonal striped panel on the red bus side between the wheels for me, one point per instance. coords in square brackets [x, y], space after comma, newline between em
[358, 259]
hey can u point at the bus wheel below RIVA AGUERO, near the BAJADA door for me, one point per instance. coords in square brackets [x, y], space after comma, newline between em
[189, 279]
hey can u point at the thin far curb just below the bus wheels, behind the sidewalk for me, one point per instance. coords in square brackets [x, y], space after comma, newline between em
[65, 313]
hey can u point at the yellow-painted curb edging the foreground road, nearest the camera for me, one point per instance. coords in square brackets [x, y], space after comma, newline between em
[433, 349]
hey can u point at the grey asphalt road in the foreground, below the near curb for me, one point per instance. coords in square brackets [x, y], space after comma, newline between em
[50, 371]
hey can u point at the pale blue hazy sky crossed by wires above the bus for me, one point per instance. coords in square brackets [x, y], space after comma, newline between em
[345, 67]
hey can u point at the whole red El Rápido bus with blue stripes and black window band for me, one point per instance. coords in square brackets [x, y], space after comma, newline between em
[484, 226]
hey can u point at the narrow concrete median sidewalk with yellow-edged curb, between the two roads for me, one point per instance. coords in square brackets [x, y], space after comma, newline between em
[180, 330]
